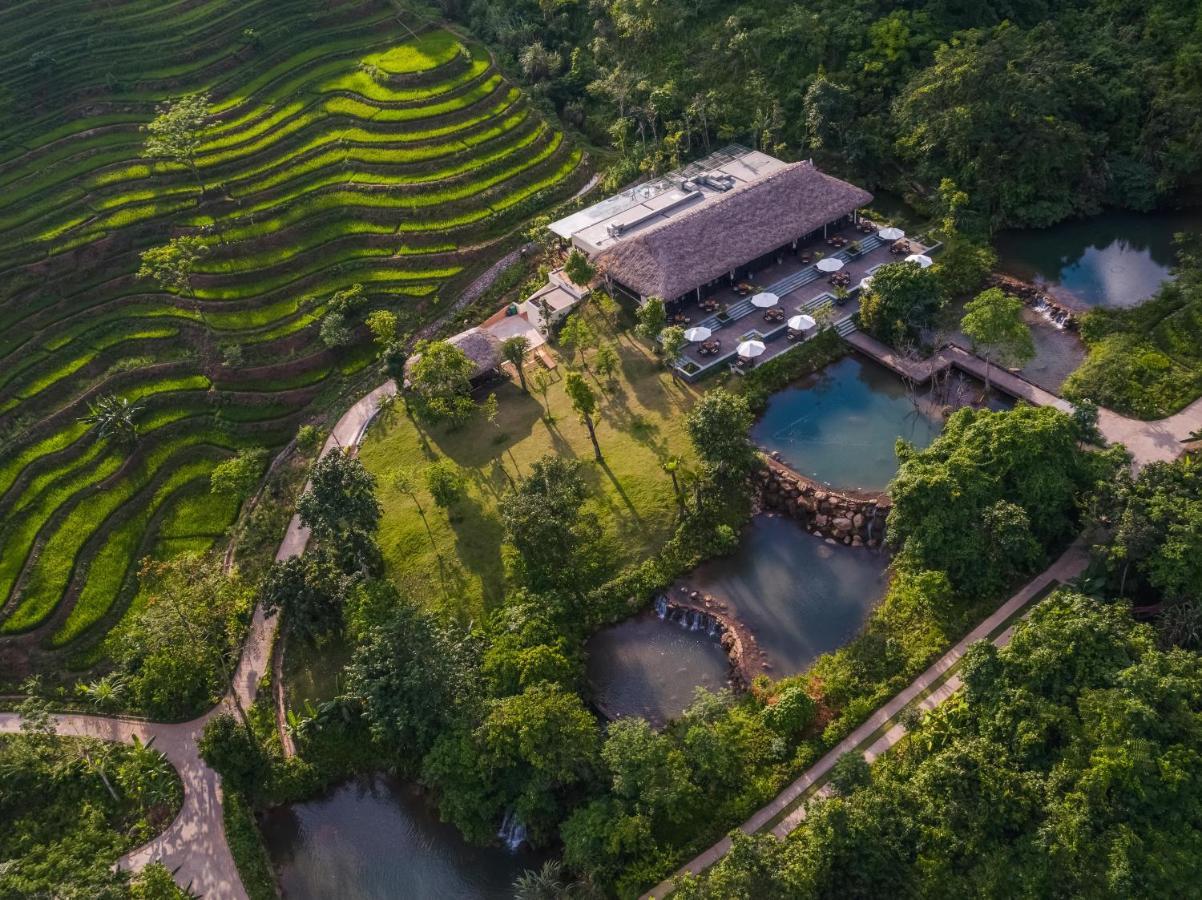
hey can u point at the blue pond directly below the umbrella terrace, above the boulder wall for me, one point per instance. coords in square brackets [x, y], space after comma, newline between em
[840, 426]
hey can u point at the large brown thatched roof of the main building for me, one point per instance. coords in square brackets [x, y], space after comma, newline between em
[681, 254]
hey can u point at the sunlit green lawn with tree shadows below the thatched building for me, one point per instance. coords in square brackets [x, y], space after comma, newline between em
[454, 558]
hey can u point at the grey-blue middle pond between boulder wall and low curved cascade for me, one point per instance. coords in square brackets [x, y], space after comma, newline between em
[799, 595]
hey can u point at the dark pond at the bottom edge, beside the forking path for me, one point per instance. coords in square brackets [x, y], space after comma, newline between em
[376, 838]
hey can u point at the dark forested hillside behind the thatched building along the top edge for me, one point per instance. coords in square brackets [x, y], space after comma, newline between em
[1037, 110]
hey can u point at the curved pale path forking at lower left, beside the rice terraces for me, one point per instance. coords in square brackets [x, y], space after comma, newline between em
[194, 847]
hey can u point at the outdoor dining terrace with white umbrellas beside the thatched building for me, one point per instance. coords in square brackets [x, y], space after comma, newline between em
[801, 288]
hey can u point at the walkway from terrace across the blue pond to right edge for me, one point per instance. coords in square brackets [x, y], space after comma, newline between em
[1147, 442]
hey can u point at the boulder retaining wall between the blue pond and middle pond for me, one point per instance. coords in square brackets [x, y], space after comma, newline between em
[838, 518]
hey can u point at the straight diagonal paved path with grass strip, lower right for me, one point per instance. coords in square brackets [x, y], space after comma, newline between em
[882, 731]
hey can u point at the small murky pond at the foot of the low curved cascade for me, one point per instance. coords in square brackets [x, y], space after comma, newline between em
[651, 669]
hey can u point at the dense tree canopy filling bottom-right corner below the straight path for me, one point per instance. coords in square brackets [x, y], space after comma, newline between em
[1068, 768]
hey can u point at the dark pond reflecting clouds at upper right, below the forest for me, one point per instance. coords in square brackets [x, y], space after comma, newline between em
[1110, 260]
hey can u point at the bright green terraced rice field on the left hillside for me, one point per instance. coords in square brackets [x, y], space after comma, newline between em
[348, 144]
